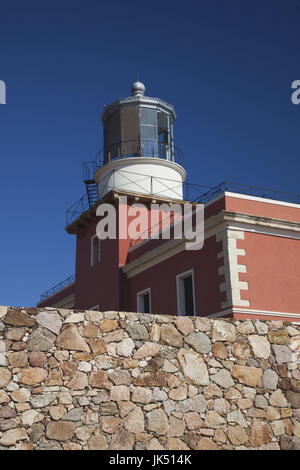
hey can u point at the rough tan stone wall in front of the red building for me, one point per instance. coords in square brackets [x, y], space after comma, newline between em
[116, 380]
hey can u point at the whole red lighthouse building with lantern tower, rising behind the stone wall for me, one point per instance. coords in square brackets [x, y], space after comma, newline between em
[248, 267]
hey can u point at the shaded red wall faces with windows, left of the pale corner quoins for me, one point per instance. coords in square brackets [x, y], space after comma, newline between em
[100, 284]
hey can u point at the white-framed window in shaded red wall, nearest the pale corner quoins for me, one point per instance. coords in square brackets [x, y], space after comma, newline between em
[185, 293]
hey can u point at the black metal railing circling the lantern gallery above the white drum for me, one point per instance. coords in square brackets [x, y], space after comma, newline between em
[132, 149]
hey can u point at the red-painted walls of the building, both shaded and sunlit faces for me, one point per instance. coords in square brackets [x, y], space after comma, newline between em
[273, 268]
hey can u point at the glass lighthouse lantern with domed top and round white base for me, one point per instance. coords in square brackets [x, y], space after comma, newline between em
[139, 155]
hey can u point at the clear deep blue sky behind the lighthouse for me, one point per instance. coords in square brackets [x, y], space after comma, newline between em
[227, 67]
